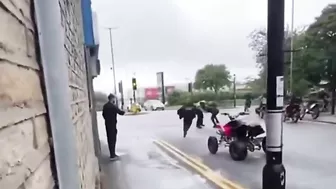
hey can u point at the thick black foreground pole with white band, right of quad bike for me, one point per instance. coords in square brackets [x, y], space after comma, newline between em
[274, 173]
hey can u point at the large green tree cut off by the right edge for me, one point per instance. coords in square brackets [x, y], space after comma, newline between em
[320, 49]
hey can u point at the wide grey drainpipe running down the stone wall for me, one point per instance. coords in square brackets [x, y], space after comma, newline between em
[55, 73]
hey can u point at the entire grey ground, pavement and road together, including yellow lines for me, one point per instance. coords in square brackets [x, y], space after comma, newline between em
[152, 149]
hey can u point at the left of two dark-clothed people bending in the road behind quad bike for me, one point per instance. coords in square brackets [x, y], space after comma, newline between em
[187, 113]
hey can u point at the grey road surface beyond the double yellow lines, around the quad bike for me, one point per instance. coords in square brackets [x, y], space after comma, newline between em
[309, 149]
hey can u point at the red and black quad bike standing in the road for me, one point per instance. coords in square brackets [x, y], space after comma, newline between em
[239, 137]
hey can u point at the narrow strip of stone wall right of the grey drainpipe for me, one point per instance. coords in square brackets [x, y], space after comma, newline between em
[74, 47]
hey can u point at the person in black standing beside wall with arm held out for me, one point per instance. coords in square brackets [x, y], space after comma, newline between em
[110, 112]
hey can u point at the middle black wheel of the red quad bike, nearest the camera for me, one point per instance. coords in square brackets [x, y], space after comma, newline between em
[238, 150]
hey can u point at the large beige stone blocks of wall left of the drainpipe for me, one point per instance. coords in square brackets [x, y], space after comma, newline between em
[24, 147]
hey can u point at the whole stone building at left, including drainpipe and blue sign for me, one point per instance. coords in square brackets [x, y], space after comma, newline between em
[46, 134]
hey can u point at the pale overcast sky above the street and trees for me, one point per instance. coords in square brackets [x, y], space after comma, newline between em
[180, 36]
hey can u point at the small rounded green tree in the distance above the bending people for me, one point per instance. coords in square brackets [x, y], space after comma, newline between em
[213, 77]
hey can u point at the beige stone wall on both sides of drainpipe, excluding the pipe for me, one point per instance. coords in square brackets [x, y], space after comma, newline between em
[24, 148]
